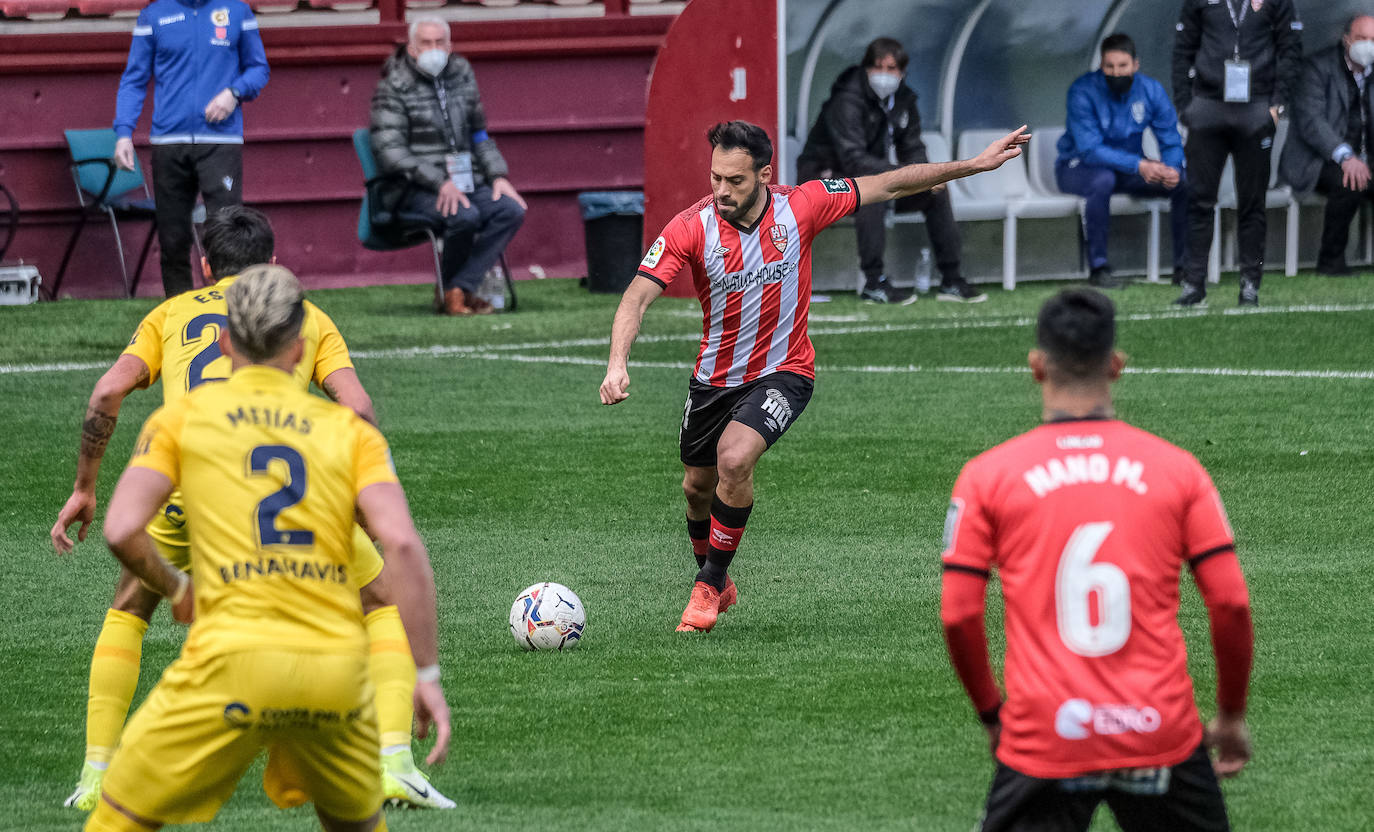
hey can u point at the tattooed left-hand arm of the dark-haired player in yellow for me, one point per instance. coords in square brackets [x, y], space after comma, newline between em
[127, 375]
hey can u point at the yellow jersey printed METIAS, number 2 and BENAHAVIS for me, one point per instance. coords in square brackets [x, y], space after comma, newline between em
[271, 476]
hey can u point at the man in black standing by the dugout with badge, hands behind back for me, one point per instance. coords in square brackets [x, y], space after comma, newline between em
[1236, 68]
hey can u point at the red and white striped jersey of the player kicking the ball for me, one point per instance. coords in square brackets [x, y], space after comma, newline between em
[754, 284]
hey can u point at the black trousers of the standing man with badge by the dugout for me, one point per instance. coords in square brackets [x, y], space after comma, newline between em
[1218, 131]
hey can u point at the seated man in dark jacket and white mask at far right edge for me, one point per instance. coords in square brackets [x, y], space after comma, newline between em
[1333, 137]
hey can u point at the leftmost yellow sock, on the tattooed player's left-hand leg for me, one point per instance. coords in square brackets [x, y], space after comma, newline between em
[115, 678]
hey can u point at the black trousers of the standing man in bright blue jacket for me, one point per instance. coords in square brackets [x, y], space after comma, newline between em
[179, 174]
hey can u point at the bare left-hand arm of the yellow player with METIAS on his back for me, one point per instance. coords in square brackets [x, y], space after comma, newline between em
[138, 496]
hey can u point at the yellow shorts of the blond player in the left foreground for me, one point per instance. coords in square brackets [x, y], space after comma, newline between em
[186, 750]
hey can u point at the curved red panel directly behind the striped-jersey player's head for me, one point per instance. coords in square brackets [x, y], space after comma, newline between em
[693, 89]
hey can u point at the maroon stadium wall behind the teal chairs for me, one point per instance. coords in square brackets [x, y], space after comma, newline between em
[565, 101]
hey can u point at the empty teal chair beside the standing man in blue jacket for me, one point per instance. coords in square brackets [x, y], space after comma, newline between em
[102, 189]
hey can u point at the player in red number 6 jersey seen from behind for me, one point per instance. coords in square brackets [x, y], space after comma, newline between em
[1089, 522]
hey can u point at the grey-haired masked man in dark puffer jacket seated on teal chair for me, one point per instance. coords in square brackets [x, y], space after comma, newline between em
[429, 127]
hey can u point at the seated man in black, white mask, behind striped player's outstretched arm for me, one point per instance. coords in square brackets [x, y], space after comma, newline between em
[870, 126]
